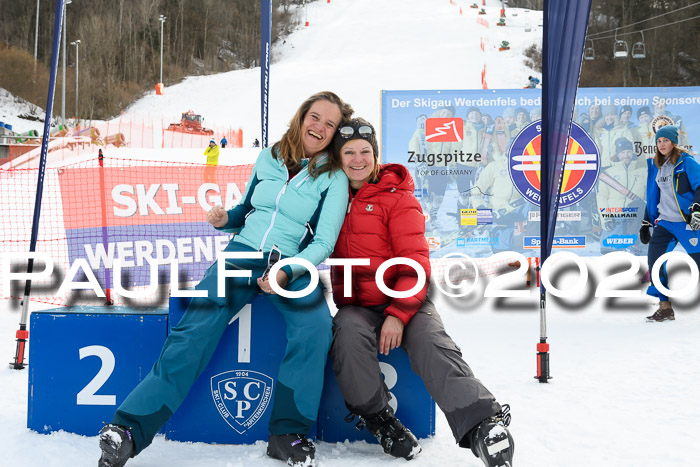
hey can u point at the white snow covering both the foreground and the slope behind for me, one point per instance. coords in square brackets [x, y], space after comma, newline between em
[624, 392]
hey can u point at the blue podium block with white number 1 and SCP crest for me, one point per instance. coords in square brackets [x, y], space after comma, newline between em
[231, 401]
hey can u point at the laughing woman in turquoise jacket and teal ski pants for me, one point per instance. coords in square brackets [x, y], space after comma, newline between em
[295, 203]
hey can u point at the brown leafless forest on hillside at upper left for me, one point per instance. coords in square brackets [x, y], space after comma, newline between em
[119, 48]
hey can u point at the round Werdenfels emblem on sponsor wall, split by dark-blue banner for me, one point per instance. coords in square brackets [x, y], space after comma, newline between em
[580, 172]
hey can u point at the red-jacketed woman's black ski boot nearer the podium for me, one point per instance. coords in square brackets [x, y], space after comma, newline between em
[395, 438]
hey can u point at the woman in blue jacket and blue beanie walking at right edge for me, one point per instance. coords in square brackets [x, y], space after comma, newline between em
[673, 209]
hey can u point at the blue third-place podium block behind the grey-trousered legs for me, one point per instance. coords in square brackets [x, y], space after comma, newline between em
[410, 400]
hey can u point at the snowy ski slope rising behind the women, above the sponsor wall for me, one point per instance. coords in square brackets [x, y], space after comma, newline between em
[357, 49]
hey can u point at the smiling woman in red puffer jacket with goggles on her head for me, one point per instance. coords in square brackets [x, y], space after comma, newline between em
[384, 220]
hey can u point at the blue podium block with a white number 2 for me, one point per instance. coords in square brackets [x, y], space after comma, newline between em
[84, 361]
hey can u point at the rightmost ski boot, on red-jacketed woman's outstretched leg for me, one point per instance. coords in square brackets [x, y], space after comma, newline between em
[491, 441]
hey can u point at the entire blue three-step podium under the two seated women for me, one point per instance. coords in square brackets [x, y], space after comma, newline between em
[85, 360]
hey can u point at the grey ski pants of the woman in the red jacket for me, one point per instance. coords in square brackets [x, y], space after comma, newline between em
[434, 357]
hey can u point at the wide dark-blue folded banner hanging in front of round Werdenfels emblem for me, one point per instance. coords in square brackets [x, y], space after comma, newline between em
[565, 24]
